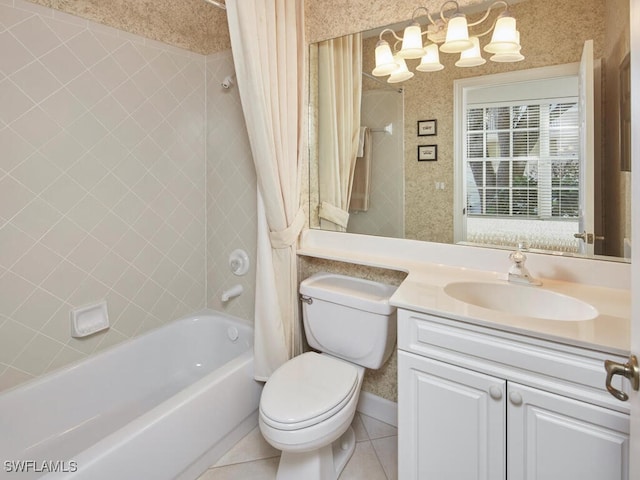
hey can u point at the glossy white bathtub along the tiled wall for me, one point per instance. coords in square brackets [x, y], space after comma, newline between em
[164, 405]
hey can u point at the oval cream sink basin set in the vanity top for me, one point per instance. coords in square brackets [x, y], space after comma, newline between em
[521, 300]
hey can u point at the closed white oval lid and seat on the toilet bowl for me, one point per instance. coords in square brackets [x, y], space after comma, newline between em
[306, 390]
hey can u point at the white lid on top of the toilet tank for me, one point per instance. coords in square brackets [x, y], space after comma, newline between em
[359, 293]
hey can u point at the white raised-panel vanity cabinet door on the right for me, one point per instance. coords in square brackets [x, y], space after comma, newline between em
[552, 437]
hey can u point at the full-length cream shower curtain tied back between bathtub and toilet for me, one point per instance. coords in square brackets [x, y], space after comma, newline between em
[267, 42]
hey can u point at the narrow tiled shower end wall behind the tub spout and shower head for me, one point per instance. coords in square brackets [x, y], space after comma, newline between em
[231, 190]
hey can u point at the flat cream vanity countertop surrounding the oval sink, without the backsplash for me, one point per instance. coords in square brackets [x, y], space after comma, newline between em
[423, 291]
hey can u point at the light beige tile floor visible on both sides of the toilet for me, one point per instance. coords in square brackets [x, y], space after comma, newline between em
[375, 457]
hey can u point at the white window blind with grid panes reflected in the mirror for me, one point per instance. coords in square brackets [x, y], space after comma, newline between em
[522, 159]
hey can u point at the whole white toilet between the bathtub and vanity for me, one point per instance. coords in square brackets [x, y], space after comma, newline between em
[308, 404]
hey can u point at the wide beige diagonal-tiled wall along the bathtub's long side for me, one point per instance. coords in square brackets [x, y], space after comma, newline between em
[102, 185]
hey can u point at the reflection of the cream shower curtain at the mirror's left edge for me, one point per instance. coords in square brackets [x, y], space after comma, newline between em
[340, 91]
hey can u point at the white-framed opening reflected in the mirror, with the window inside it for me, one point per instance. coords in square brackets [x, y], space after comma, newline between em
[518, 159]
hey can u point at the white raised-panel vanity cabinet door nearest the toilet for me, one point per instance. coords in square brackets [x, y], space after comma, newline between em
[451, 422]
